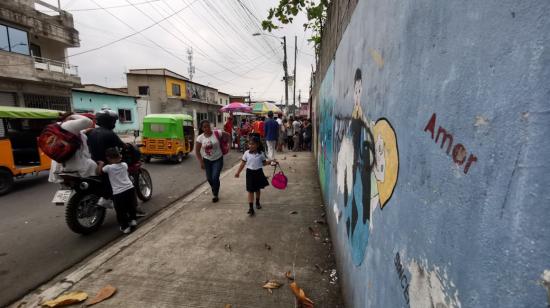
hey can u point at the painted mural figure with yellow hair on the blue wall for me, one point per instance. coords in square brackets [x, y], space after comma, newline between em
[362, 170]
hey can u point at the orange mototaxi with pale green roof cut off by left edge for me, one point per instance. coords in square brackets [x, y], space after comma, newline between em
[19, 152]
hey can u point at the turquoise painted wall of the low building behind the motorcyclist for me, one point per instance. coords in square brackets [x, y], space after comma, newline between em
[95, 101]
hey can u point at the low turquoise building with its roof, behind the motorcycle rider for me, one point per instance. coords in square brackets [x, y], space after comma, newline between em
[92, 98]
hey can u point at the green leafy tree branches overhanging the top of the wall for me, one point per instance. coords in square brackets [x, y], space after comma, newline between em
[286, 10]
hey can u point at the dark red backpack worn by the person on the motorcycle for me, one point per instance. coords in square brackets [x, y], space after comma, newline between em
[58, 143]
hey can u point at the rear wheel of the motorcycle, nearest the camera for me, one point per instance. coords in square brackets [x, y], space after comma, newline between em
[83, 215]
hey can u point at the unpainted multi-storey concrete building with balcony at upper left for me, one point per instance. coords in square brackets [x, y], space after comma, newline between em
[33, 50]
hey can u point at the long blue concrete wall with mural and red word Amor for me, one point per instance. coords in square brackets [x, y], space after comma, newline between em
[432, 121]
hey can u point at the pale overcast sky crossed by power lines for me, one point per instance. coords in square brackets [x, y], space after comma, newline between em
[119, 35]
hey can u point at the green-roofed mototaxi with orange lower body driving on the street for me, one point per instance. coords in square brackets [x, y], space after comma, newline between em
[168, 136]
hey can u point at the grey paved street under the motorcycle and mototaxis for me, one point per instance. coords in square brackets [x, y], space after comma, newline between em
[35, 242]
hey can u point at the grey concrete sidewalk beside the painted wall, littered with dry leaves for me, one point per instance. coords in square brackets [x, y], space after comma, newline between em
[203, 254]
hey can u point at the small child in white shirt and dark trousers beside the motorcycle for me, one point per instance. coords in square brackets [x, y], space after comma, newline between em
[124, 193]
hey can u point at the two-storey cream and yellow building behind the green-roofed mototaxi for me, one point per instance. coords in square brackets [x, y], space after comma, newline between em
[164, 91]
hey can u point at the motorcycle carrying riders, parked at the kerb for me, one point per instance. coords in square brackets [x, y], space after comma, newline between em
[83, 214]
